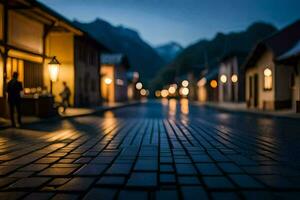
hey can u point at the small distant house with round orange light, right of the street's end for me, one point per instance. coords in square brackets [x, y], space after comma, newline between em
[208, 86]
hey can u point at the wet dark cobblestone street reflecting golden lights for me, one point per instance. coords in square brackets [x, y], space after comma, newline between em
[153, 151]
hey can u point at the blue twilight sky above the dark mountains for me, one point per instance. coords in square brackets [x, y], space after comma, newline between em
[183, 21]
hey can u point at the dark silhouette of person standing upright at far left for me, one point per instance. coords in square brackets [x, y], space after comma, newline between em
[14, 89]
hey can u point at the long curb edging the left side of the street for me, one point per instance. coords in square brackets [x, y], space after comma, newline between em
[52, 119]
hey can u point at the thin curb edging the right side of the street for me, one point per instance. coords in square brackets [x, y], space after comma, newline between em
[261, 114]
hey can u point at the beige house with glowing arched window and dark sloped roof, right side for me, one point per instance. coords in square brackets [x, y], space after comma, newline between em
[269, 82]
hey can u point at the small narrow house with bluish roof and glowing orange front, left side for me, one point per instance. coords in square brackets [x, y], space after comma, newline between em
[114, 77]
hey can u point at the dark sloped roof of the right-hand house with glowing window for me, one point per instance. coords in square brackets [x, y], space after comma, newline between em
[279, 43]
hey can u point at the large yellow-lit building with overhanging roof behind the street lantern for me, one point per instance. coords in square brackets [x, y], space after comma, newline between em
[31, 34]
